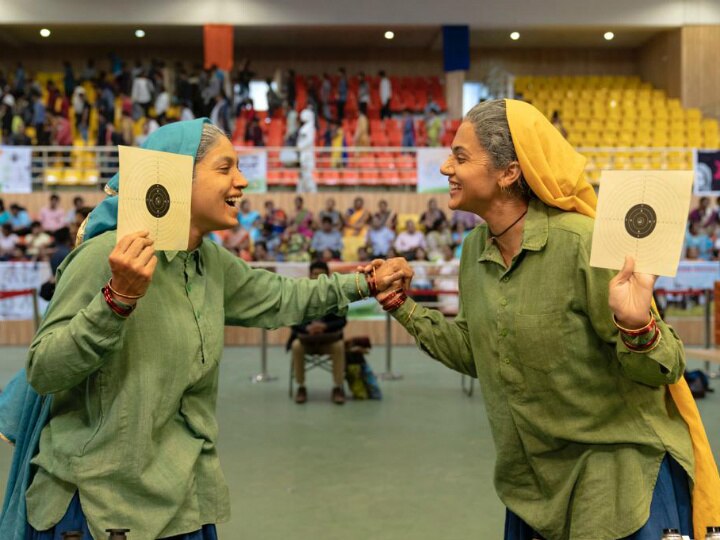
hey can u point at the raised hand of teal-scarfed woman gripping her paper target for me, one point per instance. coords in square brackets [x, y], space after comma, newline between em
[132, 263]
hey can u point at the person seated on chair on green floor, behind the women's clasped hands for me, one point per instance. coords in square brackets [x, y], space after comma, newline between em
[323, 336]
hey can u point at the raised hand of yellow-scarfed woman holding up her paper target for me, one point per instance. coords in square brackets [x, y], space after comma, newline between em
[631, 296]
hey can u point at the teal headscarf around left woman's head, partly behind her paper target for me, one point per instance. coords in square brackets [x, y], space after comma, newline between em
[178, 138]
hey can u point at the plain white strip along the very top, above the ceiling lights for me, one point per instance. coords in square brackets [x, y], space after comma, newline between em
[476, 13]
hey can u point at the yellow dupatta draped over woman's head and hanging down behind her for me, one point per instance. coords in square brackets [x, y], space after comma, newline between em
[555, 173]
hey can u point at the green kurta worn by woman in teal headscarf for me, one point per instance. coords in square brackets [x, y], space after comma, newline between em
[133, 424]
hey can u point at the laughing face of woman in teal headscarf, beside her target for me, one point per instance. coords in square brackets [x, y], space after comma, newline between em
[217, 189]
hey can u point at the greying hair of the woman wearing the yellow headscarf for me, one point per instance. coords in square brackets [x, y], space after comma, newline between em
[489, 120]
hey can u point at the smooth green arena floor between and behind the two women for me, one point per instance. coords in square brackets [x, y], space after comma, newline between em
[417, 465]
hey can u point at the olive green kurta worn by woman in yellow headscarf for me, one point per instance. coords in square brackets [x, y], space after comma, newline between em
[580, 423]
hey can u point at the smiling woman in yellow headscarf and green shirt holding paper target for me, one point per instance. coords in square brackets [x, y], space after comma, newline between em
[596, 433]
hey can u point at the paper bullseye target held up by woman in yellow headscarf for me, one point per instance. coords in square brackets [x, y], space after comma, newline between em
[641, 214]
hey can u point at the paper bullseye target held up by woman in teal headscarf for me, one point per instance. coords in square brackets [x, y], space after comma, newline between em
[155, 192]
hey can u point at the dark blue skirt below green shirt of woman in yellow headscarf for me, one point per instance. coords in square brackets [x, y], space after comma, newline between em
[670, 508]
